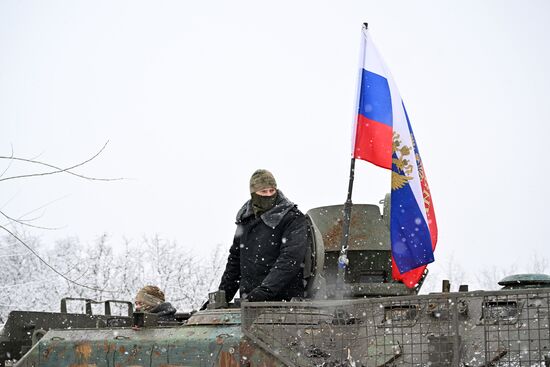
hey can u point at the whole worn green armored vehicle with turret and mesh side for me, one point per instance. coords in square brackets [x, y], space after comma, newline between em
[375, 322]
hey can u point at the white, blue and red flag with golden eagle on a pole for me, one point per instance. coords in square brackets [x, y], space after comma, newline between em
[384, 137]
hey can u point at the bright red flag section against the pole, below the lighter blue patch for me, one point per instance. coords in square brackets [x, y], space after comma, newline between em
[373, 142]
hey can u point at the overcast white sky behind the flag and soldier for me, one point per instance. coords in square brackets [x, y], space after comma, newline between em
[194, 96]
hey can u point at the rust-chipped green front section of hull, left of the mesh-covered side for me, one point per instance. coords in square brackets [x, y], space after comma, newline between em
[212, 338]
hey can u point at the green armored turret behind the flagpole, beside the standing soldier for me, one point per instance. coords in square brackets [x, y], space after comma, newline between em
[369, 271]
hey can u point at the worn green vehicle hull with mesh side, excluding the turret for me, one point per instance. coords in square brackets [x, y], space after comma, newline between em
[501, 328]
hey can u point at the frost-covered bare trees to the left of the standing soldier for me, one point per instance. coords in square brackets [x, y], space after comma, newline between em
[101, 271]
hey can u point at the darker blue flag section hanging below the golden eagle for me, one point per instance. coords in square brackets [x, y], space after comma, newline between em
[410, 236]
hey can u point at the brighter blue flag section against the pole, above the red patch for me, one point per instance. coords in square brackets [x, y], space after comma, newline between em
[375, 100]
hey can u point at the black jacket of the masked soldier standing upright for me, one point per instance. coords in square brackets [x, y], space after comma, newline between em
[268, 252]
